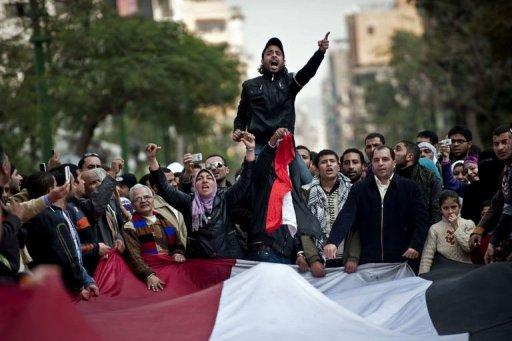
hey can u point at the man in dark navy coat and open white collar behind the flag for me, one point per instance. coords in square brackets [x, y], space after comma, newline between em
[388, 212]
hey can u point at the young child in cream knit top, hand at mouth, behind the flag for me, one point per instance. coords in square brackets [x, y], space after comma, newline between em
[450, 236]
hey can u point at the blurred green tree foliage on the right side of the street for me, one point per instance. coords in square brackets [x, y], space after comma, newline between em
[459, 71]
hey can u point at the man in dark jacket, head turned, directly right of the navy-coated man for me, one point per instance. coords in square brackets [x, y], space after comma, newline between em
[407, 163]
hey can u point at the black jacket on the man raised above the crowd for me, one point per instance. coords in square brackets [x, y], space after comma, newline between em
[267, 102]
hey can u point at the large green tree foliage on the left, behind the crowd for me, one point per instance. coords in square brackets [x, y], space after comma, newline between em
[154, 73]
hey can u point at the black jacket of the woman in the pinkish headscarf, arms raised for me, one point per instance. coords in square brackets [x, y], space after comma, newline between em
[220, 238]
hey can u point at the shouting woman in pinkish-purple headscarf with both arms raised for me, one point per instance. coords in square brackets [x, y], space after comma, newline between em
[207, 211]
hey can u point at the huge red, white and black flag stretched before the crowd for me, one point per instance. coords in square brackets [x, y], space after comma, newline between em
[242, 300]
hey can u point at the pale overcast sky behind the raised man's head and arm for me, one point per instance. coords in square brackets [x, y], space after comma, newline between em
[299, 24]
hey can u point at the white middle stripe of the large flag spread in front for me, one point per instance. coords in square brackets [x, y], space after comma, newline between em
[274, 301]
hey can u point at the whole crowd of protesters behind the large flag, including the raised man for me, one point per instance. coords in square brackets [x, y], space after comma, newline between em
[395, 202]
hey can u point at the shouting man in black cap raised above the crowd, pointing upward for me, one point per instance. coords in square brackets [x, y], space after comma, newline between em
[267, 102]
